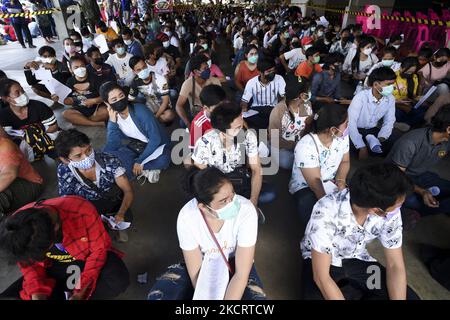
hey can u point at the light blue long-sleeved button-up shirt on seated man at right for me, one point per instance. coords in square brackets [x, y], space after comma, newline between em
[365, 111]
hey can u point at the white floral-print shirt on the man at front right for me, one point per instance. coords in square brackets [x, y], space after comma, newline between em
[333, 230]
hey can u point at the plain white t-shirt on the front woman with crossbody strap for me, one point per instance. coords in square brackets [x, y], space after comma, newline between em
[241, 231]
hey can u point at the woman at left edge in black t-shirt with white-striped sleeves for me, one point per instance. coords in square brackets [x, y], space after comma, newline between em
[37, 119]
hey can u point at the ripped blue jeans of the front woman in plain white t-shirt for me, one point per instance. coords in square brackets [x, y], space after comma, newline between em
[175, 284]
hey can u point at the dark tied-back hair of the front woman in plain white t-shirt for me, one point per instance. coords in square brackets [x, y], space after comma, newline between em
[204, 184]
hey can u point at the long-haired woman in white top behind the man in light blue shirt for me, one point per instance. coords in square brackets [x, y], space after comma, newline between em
[358, 63]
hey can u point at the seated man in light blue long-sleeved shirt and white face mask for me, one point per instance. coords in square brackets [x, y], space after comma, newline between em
[367, 108]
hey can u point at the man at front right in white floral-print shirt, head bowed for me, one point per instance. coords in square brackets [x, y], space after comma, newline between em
[337, 265]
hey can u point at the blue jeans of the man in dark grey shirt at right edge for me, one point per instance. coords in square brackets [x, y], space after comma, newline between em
[427, 180]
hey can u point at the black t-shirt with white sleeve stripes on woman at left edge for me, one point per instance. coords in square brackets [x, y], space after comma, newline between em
[38, 112]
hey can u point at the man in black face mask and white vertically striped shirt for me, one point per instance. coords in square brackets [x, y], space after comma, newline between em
[266, 90]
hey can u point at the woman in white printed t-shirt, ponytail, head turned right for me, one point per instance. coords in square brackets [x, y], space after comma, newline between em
[321, 159]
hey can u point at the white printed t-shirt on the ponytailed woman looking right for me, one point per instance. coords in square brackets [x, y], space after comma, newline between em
[306, 156]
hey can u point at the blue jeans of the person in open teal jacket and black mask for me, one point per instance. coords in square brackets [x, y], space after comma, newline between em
[128, 159]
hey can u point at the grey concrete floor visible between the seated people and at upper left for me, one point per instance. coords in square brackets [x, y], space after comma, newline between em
[153, 241]
